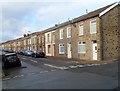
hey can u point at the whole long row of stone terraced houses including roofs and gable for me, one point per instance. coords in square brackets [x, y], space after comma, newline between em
[93, 36]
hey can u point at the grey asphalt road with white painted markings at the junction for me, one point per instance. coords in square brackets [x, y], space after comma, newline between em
[46, 73]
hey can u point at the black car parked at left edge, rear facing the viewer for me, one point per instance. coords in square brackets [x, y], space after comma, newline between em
[9, 60]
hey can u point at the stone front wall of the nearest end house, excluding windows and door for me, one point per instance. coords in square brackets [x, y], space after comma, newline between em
[87, 38]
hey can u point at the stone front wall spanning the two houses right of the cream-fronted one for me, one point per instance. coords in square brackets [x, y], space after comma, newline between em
[75, 38]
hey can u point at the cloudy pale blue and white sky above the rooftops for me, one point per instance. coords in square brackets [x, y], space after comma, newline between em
[18, 17]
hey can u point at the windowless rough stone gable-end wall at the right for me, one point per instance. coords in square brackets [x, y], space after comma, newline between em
[110, 34]
